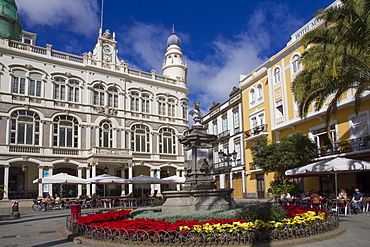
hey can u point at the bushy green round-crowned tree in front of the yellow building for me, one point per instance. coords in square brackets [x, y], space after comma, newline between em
[291, 152]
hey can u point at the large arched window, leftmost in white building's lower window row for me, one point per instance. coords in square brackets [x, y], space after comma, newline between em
[24, 128]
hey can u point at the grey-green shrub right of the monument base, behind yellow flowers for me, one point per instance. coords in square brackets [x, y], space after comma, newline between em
[261, 211]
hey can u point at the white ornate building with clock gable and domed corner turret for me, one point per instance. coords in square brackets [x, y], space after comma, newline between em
[87, 115]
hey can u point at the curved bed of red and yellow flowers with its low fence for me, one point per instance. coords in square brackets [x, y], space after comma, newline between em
[115, 226]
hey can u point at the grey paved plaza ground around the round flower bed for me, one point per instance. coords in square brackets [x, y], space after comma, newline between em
[45, 229]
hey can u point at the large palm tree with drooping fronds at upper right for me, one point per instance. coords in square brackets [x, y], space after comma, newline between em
[338, 59]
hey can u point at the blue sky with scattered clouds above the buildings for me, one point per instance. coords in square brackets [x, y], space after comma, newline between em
[220, 39]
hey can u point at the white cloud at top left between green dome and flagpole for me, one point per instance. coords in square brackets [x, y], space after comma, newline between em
[78, 16]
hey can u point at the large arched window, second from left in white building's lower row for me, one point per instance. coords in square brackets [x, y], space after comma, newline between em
[65, 131]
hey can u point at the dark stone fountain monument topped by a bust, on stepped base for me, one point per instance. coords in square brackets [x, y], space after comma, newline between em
[199, 192]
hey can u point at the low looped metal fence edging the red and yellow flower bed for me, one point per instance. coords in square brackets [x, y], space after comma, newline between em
[239, 236]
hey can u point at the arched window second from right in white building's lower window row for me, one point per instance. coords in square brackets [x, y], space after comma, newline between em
[140, 138]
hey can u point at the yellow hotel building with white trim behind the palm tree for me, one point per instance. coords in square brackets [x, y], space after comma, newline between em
[269, 110]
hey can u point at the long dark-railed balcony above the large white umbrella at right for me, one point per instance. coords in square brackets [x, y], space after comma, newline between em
[349, 146]
